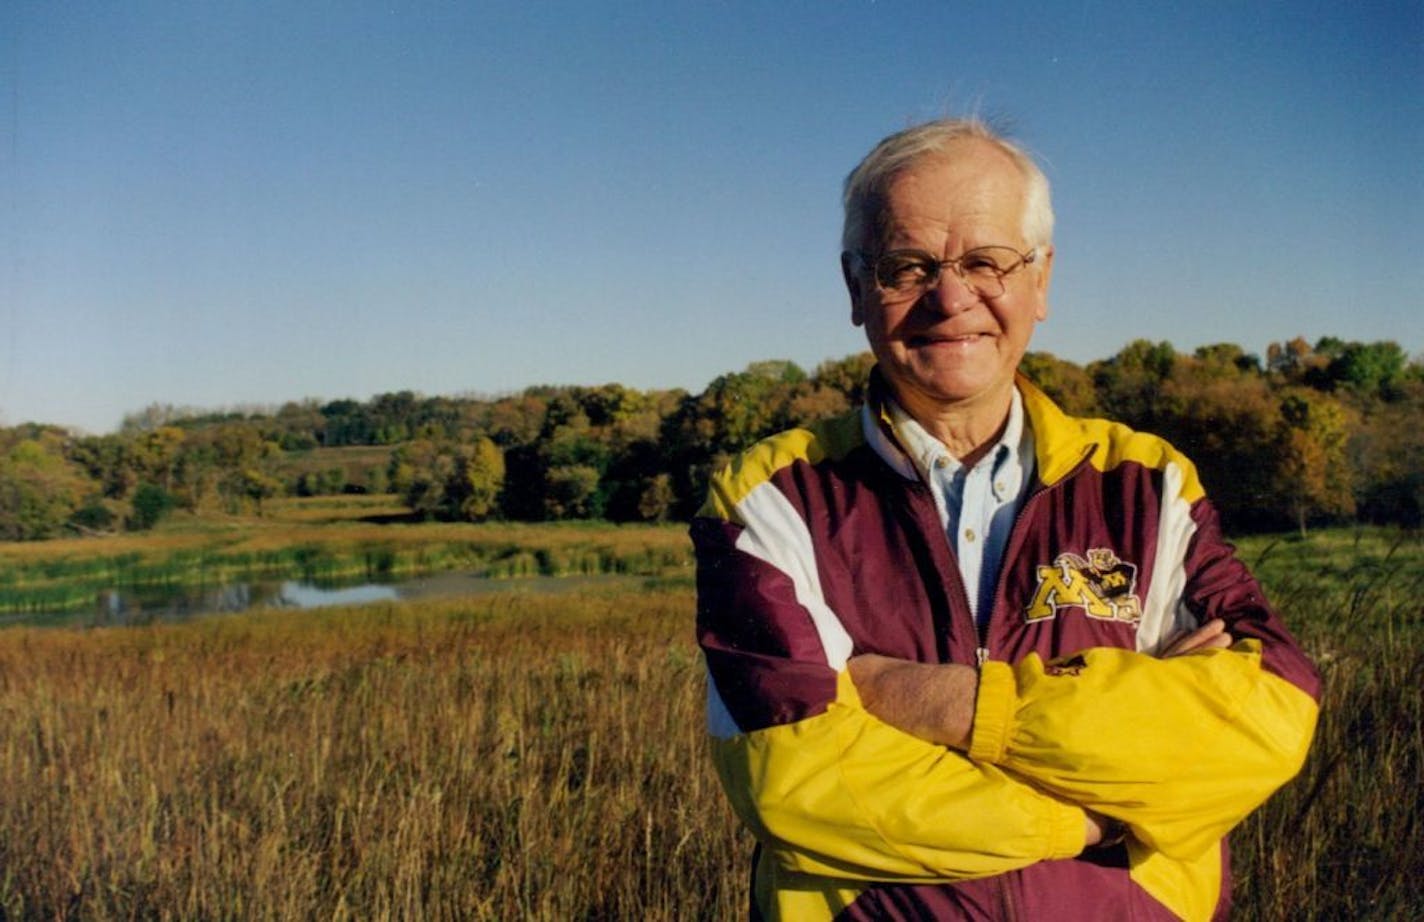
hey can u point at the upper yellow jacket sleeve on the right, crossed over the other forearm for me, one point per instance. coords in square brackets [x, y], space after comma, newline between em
[1181, 749]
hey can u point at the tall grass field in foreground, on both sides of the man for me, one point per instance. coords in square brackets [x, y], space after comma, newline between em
[543, 757]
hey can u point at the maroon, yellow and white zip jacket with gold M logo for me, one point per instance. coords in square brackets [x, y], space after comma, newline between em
[824, 544]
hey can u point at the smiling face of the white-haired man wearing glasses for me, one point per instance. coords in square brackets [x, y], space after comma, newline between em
[951, 348]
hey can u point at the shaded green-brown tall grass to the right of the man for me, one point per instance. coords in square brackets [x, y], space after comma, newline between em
[1345, 840]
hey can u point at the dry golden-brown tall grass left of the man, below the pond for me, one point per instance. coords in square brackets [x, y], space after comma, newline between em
[512, 757]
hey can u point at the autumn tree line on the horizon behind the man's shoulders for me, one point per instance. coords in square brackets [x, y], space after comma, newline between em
[1325, 432]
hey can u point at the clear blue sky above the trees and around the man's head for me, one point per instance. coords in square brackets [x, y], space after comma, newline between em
[231, 203]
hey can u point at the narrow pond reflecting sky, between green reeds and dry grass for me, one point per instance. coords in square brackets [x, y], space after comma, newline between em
[117, 608]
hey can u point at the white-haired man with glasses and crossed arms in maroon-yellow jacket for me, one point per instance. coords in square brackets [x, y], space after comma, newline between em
[970, 658]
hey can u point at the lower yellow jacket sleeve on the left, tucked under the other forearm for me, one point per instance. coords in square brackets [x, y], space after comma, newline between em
[847, 796]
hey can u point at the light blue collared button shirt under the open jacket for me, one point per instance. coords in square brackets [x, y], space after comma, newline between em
[978, 505]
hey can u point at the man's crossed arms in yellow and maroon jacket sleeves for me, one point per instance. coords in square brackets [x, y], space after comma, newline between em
[886, 770]
